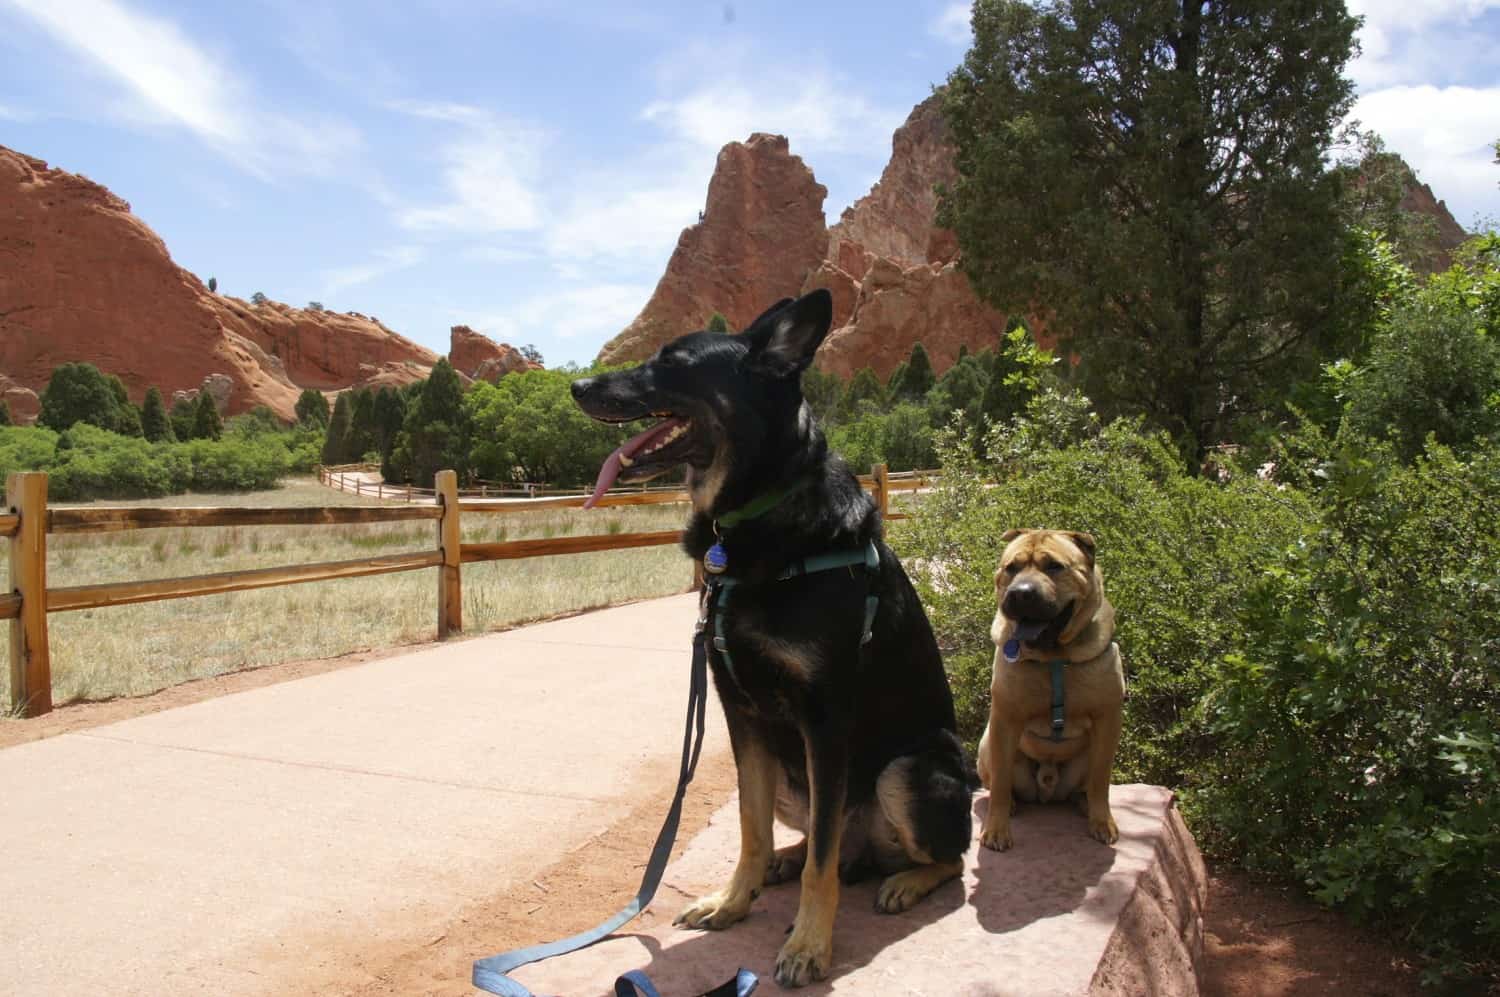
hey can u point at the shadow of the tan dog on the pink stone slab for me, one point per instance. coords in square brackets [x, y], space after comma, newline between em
[1048, 872]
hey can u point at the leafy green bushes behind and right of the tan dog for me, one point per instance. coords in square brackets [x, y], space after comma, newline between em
[1336, 627]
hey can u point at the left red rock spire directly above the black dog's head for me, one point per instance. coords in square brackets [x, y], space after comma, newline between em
[761, 236]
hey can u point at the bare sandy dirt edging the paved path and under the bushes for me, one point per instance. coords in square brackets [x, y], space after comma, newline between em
[1261, 939]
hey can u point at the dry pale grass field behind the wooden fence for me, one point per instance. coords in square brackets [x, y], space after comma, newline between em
[139, 650]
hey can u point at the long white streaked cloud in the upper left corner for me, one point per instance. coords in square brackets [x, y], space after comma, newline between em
[172, 80]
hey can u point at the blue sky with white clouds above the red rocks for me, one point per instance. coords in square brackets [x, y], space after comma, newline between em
[524, 167]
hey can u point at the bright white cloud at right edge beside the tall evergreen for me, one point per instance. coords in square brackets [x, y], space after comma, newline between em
[1448, 136]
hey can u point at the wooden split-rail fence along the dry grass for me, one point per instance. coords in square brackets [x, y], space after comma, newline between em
[26, 521]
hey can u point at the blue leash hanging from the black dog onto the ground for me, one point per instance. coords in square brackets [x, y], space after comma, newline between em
[493, 975]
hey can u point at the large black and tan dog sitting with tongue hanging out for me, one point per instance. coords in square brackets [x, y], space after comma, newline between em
[856, 749]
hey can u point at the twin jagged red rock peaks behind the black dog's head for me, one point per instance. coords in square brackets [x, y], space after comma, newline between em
[763, 238]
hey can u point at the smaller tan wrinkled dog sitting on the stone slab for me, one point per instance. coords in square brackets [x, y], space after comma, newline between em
[1051, 606]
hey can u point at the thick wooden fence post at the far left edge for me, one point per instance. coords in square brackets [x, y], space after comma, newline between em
[31, 666]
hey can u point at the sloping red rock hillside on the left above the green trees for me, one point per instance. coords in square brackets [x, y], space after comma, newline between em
[82, 278]
